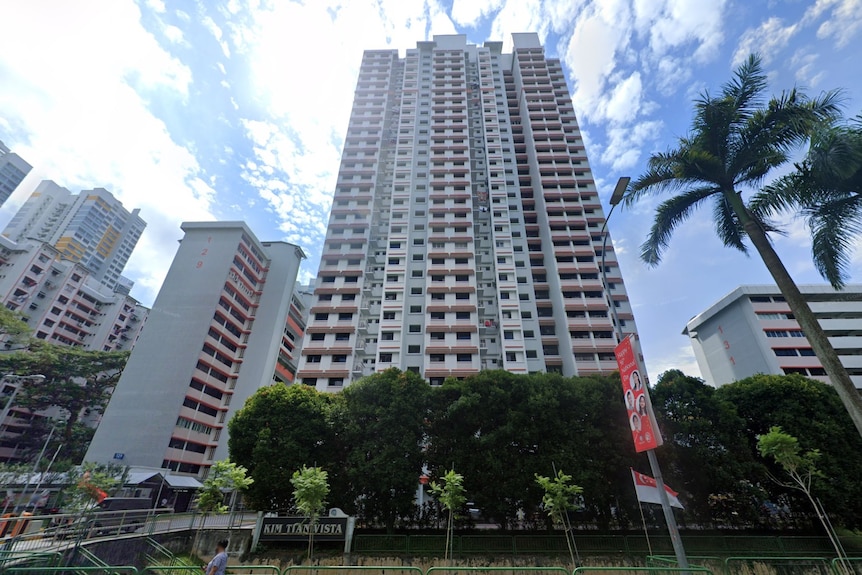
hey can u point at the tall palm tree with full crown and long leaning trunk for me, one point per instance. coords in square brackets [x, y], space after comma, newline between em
[734, 142]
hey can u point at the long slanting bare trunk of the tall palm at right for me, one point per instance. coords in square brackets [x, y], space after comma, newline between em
[802, 312]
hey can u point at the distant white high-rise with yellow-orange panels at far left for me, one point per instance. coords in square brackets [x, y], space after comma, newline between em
[91, 228]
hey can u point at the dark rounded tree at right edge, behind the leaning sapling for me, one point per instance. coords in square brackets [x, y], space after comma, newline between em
[812, 411]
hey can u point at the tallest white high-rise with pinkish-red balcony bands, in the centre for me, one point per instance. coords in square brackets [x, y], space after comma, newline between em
[465, 231]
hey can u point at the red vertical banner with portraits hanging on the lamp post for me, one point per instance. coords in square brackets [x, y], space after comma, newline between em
[645, 432]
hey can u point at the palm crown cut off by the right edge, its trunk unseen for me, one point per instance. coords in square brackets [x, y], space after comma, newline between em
[825, 189]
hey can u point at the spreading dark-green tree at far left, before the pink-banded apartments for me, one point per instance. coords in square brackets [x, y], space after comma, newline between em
[78, 384]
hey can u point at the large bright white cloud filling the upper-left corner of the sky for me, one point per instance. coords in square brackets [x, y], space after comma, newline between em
[80, 116]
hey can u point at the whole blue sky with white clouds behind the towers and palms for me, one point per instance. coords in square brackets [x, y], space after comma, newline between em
[236, 109]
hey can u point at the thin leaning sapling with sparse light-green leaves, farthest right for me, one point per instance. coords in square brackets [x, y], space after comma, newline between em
[800, 467]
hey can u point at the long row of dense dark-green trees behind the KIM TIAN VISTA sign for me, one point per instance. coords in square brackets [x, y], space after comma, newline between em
[500, 430]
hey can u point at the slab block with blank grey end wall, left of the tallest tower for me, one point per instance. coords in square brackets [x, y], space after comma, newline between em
[225, 323]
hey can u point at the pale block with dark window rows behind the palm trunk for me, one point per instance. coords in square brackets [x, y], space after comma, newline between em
[751, 330]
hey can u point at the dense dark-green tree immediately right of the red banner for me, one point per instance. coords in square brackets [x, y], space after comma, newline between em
[706, 454]
